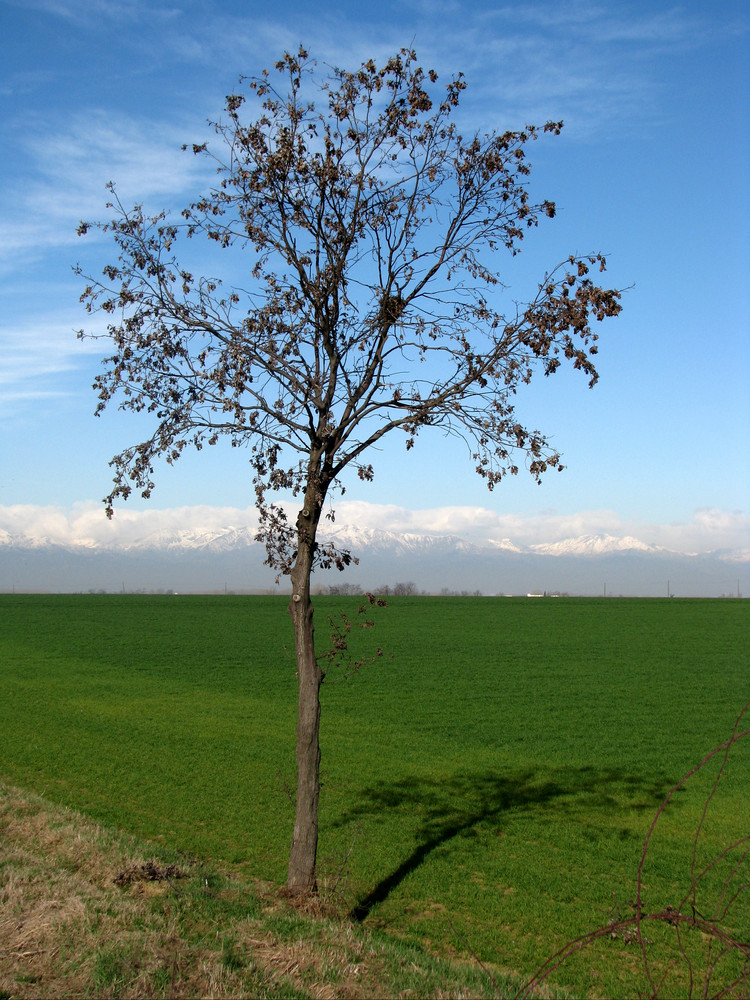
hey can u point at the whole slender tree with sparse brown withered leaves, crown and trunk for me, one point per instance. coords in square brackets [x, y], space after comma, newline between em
[372, 232]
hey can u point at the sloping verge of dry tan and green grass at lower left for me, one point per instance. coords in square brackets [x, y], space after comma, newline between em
[88, 912]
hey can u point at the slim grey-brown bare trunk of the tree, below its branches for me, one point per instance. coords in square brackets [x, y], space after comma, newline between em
[302, 857]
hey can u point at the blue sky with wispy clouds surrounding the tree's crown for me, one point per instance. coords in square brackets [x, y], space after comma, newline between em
[653, 169]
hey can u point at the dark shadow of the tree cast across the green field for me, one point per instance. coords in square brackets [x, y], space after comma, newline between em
[456, 806]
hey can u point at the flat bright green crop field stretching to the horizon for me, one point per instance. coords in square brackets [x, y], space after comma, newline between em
[487, 784]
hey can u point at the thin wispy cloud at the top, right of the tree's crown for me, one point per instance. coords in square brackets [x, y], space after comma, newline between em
[584, 63]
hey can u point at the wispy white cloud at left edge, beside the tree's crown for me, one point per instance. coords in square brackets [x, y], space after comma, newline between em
[68, 172]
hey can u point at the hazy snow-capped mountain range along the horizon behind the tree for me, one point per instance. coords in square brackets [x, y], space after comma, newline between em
[229, 557]
